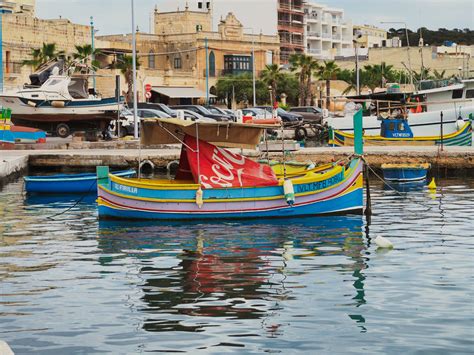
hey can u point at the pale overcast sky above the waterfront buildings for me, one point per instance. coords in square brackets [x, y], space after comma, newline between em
[114, 16]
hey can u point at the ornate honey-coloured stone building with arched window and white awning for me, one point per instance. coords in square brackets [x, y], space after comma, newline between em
[173, 59]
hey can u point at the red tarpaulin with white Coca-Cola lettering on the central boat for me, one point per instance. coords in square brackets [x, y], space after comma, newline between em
[221, 168]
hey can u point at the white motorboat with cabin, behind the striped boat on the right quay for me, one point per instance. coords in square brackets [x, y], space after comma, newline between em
[455, 102]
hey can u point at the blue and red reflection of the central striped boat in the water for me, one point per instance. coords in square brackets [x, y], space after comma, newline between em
[194, 272]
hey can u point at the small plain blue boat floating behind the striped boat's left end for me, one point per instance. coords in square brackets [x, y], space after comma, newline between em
[68, 183]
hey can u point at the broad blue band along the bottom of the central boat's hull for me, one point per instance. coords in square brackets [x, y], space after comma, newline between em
[349, 203]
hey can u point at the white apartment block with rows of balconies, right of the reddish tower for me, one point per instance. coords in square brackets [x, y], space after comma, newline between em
[327, 35]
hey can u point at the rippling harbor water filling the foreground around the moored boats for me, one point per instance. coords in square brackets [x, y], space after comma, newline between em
[71, 284]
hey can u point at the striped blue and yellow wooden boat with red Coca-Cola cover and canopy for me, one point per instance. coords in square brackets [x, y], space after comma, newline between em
[213, 182]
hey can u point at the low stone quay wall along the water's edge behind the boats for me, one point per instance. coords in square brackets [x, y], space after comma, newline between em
[16, 161]
